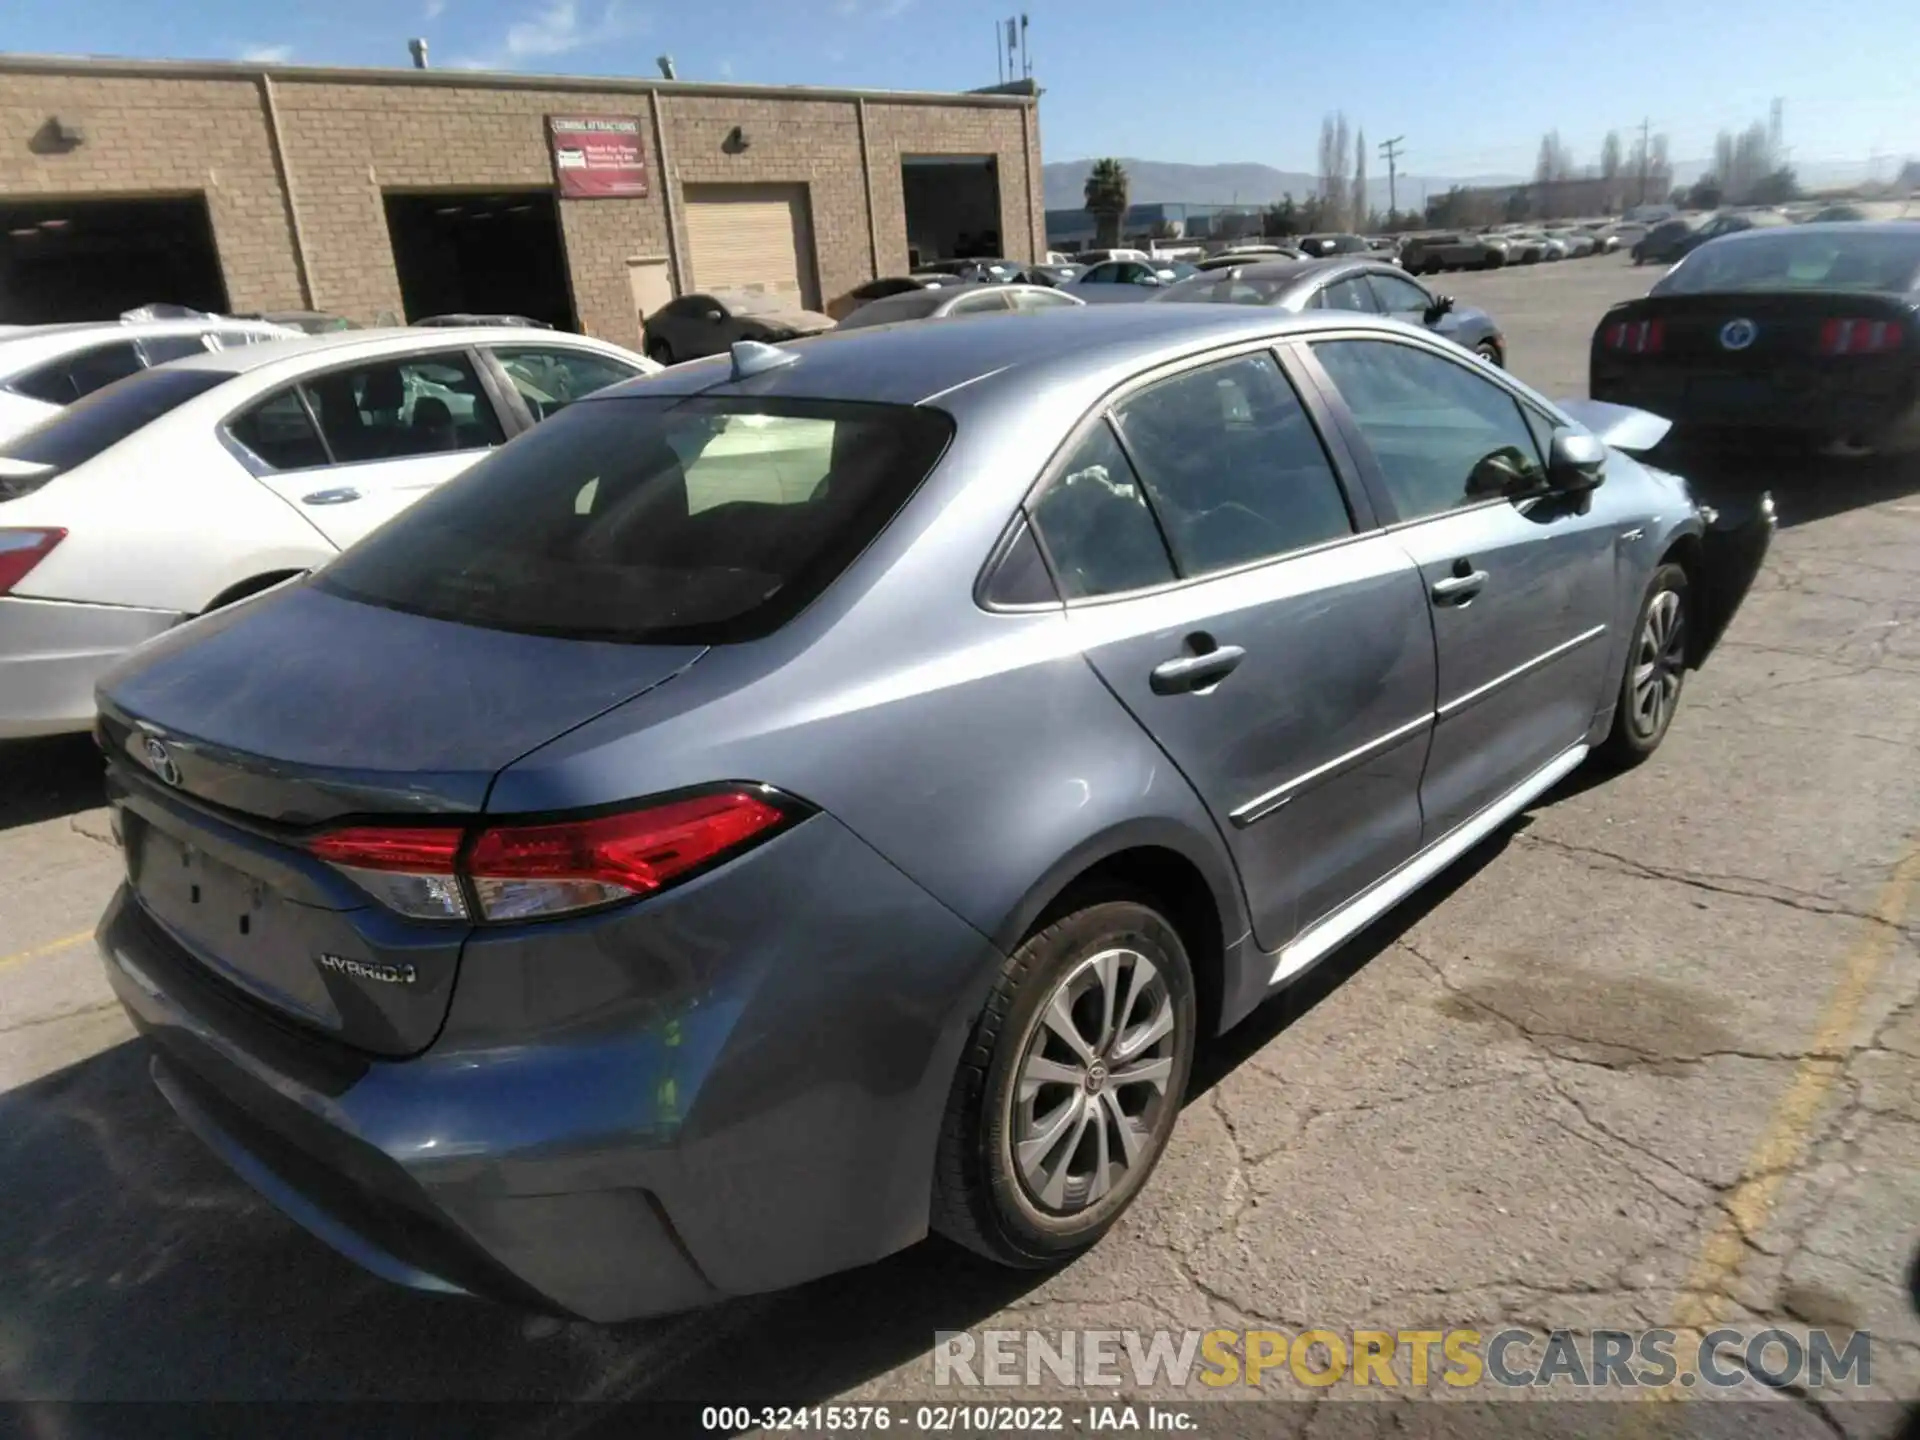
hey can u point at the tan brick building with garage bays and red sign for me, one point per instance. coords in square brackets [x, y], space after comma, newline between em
[372, 193]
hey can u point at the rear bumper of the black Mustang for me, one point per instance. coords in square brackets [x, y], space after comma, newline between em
[1825, 408]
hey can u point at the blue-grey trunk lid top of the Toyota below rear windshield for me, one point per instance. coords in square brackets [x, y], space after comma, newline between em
[304, 706]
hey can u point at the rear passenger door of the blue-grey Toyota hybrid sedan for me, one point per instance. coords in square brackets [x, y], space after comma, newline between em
[1247, 612]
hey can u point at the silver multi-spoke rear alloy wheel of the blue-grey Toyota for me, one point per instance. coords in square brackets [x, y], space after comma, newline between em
[1095, 1082]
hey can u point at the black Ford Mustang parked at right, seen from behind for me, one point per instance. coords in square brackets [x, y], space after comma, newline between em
[1798, 329]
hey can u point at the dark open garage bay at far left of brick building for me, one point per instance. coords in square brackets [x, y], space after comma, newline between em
[93, 260]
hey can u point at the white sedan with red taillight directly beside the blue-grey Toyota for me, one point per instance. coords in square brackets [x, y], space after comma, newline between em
[189, 487]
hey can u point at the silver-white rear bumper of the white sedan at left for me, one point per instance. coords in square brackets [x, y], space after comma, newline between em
[55, 652]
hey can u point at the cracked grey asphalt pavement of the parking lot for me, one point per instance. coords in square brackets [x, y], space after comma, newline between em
[1652, 1057]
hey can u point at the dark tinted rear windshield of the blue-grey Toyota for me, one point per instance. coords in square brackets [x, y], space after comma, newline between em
[652, 519]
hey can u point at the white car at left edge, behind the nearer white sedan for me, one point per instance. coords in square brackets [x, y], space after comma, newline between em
[45, 368]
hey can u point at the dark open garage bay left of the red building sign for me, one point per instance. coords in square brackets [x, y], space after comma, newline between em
[466, 254]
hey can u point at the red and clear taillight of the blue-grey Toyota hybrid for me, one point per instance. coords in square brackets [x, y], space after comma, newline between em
[552, 869]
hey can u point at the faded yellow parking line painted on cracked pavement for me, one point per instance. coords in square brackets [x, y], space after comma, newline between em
[1785, 1141]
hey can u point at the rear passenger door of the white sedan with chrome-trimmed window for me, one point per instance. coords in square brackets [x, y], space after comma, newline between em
[356, 446]
